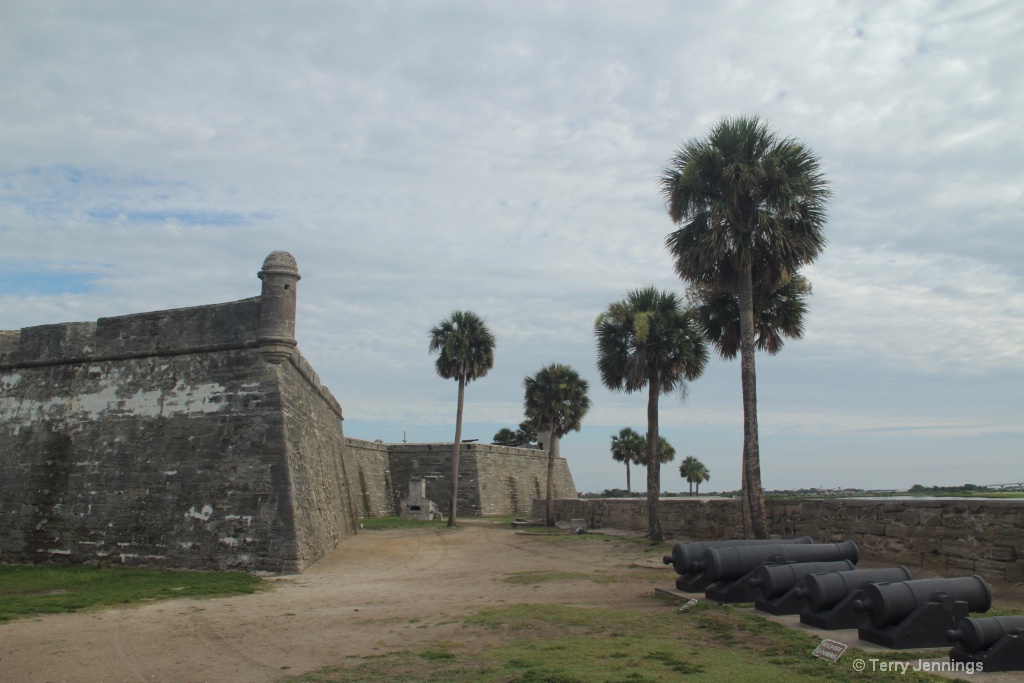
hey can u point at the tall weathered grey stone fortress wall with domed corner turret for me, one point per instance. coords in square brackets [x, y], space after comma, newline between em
[201, 438]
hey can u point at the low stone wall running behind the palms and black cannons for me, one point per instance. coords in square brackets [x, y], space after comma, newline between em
[954, 537]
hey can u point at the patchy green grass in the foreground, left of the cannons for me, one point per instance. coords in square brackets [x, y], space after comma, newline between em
[543, 644]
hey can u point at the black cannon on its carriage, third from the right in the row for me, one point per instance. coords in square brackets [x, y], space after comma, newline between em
[829, 599]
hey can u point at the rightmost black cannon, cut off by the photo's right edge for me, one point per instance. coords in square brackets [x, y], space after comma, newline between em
[994, 644]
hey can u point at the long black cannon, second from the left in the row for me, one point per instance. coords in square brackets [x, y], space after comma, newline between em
[732, 569]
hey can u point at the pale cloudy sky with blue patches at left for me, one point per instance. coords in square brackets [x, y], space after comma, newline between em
[503, 157]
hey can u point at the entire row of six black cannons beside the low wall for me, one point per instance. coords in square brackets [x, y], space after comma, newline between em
[888, 607]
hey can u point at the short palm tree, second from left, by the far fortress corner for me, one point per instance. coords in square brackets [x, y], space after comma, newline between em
[556, 400]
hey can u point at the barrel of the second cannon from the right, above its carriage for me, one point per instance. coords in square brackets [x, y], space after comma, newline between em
[891, 604]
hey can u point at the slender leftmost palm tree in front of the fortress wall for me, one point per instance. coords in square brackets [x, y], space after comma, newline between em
[465, 353]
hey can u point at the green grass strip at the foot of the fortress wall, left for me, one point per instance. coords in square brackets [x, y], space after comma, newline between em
[31, 590]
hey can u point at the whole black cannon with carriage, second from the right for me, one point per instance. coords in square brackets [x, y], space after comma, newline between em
[918, 614]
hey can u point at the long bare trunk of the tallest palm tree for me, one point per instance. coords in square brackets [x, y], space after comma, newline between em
[755, 516]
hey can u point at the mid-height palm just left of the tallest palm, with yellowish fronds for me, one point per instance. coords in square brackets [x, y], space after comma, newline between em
[650, 340]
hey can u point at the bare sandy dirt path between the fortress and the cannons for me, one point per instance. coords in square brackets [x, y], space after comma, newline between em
[380, 591]
